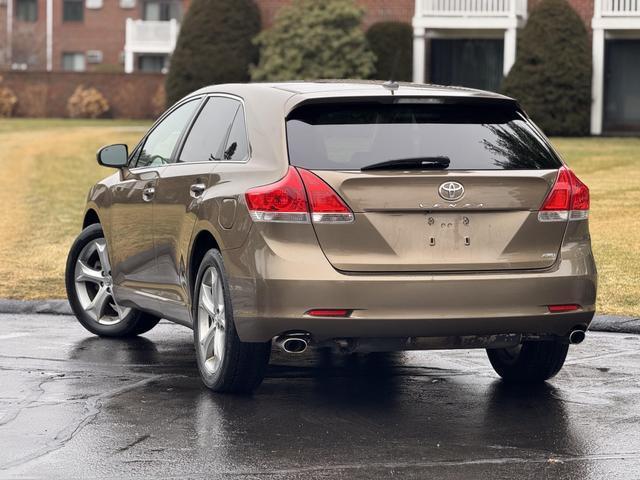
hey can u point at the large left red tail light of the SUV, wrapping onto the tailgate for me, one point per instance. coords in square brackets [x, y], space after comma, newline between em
[298, 196]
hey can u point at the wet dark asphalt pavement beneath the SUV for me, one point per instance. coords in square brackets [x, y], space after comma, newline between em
[73, 405]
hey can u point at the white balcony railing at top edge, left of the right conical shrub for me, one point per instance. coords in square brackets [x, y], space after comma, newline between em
[473, 8]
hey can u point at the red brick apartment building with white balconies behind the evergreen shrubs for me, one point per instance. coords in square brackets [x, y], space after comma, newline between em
[459, 42]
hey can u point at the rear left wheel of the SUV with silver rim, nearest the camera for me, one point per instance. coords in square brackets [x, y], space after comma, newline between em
[226, 363]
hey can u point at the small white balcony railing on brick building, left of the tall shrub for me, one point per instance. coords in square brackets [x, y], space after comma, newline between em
[145, 36]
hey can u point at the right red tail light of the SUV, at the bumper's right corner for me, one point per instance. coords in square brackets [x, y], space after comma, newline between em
[567, 200]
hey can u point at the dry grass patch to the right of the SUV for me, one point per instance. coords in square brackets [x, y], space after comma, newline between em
[611, 169]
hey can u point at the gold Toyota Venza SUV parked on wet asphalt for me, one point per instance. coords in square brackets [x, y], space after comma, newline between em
[361, 216]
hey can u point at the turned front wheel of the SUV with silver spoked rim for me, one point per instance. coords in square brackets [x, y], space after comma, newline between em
[88, 283]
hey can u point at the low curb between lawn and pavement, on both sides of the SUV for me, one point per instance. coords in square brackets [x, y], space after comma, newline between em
[601, 323]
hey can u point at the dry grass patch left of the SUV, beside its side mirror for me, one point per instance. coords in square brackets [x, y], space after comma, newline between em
[48, 167]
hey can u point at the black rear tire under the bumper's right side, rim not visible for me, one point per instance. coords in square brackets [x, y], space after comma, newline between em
[530, 362]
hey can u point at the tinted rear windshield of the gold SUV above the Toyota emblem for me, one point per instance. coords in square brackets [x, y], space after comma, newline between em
[348, 136]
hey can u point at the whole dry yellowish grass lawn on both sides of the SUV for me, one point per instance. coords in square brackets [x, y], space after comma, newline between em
[48, 166]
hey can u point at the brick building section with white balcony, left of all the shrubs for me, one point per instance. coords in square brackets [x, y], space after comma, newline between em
[88, 35]
